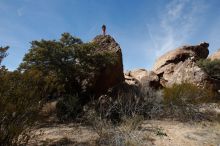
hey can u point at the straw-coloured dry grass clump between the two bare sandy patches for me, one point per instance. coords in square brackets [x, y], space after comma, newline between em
[123, 134]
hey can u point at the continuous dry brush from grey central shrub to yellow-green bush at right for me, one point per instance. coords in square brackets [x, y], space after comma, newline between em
[117, 116]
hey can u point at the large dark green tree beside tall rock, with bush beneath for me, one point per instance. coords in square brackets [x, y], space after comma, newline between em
[65, 68]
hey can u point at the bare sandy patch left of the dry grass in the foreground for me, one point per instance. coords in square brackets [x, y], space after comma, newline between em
[63, 134]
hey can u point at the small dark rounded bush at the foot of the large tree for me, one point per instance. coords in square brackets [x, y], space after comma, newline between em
[68, 107]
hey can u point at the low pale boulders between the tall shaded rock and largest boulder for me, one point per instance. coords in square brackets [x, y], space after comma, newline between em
[142, 77]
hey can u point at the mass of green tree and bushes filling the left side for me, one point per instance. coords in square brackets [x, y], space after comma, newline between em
[51, 69]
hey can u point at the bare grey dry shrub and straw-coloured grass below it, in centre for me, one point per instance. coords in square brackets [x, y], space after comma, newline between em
[118, 115]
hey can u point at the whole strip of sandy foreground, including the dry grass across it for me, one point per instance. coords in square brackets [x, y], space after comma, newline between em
[164, 132]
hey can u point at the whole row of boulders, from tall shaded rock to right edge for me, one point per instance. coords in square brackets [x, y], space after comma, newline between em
[175, 67]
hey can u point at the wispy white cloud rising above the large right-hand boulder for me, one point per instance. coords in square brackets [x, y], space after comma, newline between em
[177, 24]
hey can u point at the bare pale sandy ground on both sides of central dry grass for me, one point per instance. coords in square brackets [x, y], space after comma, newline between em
[159, 133]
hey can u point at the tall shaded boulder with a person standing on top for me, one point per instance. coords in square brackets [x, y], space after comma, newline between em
[111, 75]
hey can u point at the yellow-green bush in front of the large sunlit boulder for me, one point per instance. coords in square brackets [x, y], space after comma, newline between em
[181, 102]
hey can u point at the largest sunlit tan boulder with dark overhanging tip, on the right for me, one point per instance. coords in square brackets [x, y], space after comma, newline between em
[179, 66]
